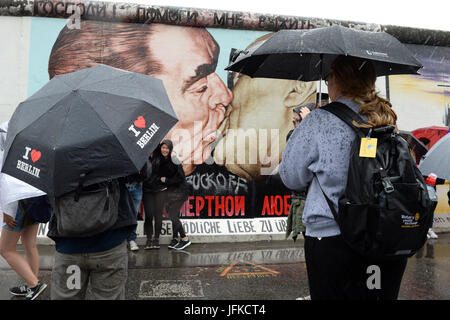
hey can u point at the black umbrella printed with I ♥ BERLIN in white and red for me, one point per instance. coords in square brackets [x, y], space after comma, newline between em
[102, 122]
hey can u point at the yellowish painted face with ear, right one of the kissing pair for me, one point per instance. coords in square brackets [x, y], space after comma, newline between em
[260, 119]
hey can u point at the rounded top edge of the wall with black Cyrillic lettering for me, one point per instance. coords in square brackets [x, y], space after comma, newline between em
[138, 13]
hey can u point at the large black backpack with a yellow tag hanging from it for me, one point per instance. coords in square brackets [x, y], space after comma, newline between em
[385, 211]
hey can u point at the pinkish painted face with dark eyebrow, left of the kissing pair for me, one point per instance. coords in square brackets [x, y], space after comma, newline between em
[189, 57]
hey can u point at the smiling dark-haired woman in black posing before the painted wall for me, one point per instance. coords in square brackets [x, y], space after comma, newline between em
[166, 186]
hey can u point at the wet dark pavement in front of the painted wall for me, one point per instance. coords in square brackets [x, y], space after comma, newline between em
[264, 270]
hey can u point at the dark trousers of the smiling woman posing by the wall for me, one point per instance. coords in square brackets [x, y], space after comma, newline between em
[154, 203]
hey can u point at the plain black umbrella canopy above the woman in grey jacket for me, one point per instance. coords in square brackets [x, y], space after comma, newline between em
[307, 54]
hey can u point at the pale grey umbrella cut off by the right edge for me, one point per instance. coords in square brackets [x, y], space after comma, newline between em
[437, 160]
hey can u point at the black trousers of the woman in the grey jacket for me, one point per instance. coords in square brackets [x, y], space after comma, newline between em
[335, 272]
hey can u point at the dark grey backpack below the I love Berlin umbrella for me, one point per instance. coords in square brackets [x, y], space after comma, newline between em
[87, 211]
